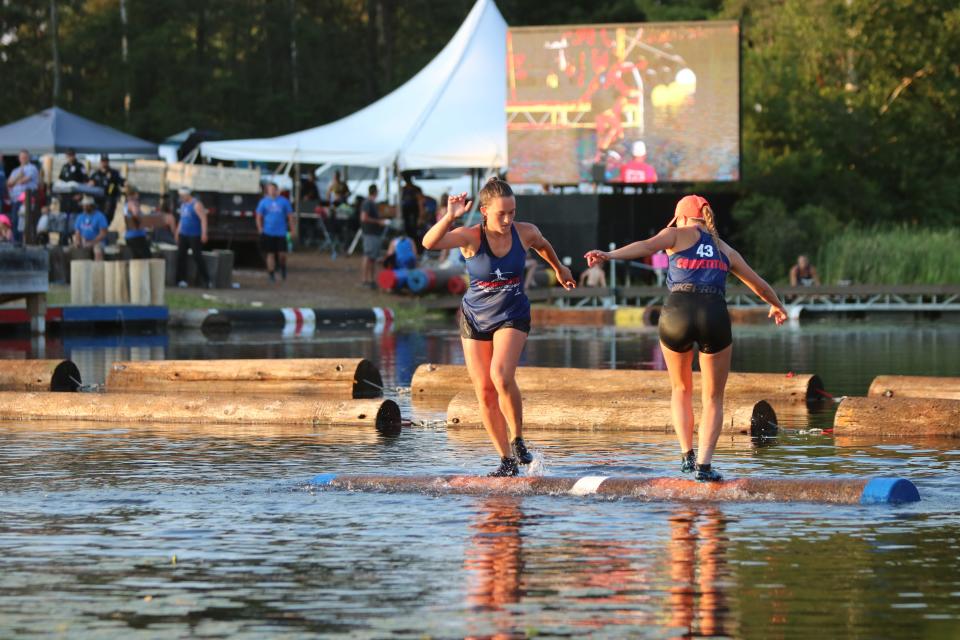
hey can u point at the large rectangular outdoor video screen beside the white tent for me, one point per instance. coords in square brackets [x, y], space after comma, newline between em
[624, 104]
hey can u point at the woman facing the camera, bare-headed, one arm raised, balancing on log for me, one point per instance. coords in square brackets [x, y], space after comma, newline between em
[495, 318]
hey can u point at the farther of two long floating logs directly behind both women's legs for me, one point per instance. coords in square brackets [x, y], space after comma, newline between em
[448, 380]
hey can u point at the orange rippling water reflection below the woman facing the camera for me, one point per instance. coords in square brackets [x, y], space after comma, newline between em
[494, 560]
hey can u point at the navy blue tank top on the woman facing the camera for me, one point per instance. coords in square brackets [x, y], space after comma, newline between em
[496, 285]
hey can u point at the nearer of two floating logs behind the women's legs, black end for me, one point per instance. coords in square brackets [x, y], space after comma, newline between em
[611, 412]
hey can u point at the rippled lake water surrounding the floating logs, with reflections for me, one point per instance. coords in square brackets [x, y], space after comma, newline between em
[174, 531]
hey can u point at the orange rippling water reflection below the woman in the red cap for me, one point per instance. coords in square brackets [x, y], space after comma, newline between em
[697, 565]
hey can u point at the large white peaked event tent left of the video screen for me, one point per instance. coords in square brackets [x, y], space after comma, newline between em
[450, 114]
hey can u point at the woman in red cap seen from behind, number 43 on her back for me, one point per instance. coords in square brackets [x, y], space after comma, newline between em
[696, 312]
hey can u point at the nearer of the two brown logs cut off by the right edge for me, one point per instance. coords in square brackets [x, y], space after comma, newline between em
[897, 417]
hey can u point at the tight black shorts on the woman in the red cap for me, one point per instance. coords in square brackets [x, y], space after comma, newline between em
[695, 317]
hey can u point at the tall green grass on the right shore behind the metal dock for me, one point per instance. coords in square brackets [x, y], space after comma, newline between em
[896, 255]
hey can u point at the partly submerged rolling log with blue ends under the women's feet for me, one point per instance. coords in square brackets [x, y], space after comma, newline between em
[831, 491]
